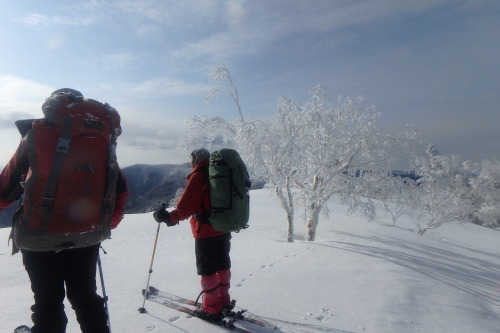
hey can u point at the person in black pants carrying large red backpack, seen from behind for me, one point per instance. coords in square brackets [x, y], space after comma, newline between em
[73, 193]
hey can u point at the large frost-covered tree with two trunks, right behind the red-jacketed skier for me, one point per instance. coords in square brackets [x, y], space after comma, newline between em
[315, 149]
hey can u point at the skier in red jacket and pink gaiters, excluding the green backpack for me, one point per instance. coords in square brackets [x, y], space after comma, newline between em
[211, 246]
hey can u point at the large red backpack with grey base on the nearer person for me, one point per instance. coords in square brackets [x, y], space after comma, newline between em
[69, 190]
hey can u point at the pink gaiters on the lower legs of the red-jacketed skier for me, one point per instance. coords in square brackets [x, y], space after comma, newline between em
[216, 291]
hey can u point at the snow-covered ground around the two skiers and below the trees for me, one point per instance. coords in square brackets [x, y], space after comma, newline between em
[357, 276]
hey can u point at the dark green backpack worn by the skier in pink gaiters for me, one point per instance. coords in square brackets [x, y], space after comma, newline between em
[229, 191]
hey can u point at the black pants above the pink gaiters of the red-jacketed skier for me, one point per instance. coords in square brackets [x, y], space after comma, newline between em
[212, 254]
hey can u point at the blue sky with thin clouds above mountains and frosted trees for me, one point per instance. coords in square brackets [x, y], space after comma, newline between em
[434, 64]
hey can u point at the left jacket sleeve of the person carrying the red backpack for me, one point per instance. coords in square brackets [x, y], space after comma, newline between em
[11, 177]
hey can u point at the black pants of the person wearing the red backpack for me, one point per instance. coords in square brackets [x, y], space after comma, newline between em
[48, 272]
